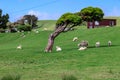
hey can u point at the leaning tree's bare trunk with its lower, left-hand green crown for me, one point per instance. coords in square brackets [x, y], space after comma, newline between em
[66, 21]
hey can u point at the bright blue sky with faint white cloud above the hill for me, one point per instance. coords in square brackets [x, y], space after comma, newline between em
[53, 9]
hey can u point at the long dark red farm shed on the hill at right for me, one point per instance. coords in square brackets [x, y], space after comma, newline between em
[104, 22]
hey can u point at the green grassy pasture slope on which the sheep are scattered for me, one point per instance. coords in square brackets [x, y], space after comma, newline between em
[32, 63]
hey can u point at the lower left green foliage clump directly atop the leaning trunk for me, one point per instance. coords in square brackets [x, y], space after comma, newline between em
[69, 18]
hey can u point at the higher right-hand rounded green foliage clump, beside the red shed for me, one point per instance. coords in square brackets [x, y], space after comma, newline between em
[91, 13]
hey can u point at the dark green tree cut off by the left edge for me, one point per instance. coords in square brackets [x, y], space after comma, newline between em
[3, 20]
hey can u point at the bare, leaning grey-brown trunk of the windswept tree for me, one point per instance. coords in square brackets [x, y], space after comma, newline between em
[52, 38]
